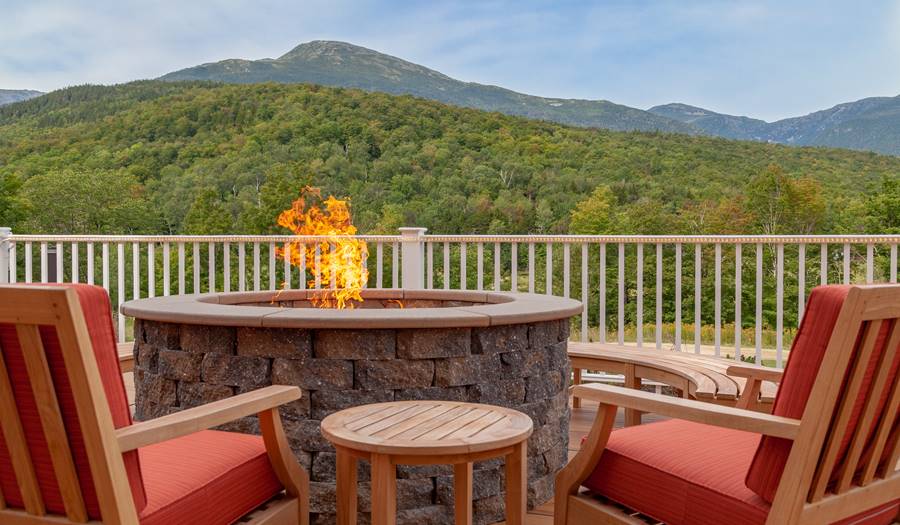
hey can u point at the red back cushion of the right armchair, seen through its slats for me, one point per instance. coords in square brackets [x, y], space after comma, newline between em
[806, 357]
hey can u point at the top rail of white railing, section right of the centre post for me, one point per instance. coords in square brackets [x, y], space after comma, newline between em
[674, 239]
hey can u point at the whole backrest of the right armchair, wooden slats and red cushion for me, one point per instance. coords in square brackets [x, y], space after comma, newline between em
[842, 382]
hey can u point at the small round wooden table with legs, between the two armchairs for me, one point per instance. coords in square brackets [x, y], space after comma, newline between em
[427, 433]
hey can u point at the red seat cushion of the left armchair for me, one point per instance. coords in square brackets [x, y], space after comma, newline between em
[210, 477]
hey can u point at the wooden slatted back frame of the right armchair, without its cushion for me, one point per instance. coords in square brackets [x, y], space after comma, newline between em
[856, 392]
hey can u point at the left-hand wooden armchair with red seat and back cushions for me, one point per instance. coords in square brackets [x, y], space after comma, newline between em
[70, 453]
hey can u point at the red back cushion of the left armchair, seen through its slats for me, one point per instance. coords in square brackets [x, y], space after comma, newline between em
[95, 305]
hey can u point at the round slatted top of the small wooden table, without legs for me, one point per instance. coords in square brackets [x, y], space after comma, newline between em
[426, 427]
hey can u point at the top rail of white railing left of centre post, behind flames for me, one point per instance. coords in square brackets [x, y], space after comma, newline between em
[197, 238]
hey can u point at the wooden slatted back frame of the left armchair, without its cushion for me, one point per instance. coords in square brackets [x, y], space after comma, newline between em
[33, 310]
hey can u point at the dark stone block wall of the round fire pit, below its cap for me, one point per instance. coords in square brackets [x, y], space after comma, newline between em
[521, 365]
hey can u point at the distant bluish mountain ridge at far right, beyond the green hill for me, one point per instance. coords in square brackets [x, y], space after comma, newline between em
[871, 124]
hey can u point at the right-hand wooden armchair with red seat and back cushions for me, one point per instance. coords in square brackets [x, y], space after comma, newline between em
[828, 453]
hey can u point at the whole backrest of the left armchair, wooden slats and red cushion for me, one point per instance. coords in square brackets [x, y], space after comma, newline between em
[62, 396]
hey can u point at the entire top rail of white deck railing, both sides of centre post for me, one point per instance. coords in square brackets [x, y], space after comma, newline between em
[575, 239]
